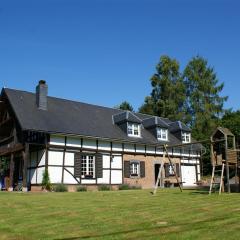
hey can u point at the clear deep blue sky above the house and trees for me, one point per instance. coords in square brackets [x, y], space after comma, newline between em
[105, 51]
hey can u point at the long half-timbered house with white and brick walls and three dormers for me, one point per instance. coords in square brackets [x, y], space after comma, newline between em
[89, 145]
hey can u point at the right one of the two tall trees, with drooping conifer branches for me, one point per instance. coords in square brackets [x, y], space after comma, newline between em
[203, 103]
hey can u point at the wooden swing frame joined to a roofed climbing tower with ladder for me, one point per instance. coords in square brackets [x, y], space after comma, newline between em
[225, 156]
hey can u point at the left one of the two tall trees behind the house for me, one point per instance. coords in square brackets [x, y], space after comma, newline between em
[168, 91]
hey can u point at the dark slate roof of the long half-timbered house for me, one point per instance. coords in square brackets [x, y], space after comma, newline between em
[70, 117]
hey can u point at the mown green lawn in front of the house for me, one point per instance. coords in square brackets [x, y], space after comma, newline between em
[132, 214]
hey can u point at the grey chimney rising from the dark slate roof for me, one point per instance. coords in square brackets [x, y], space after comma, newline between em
[41, 95]
